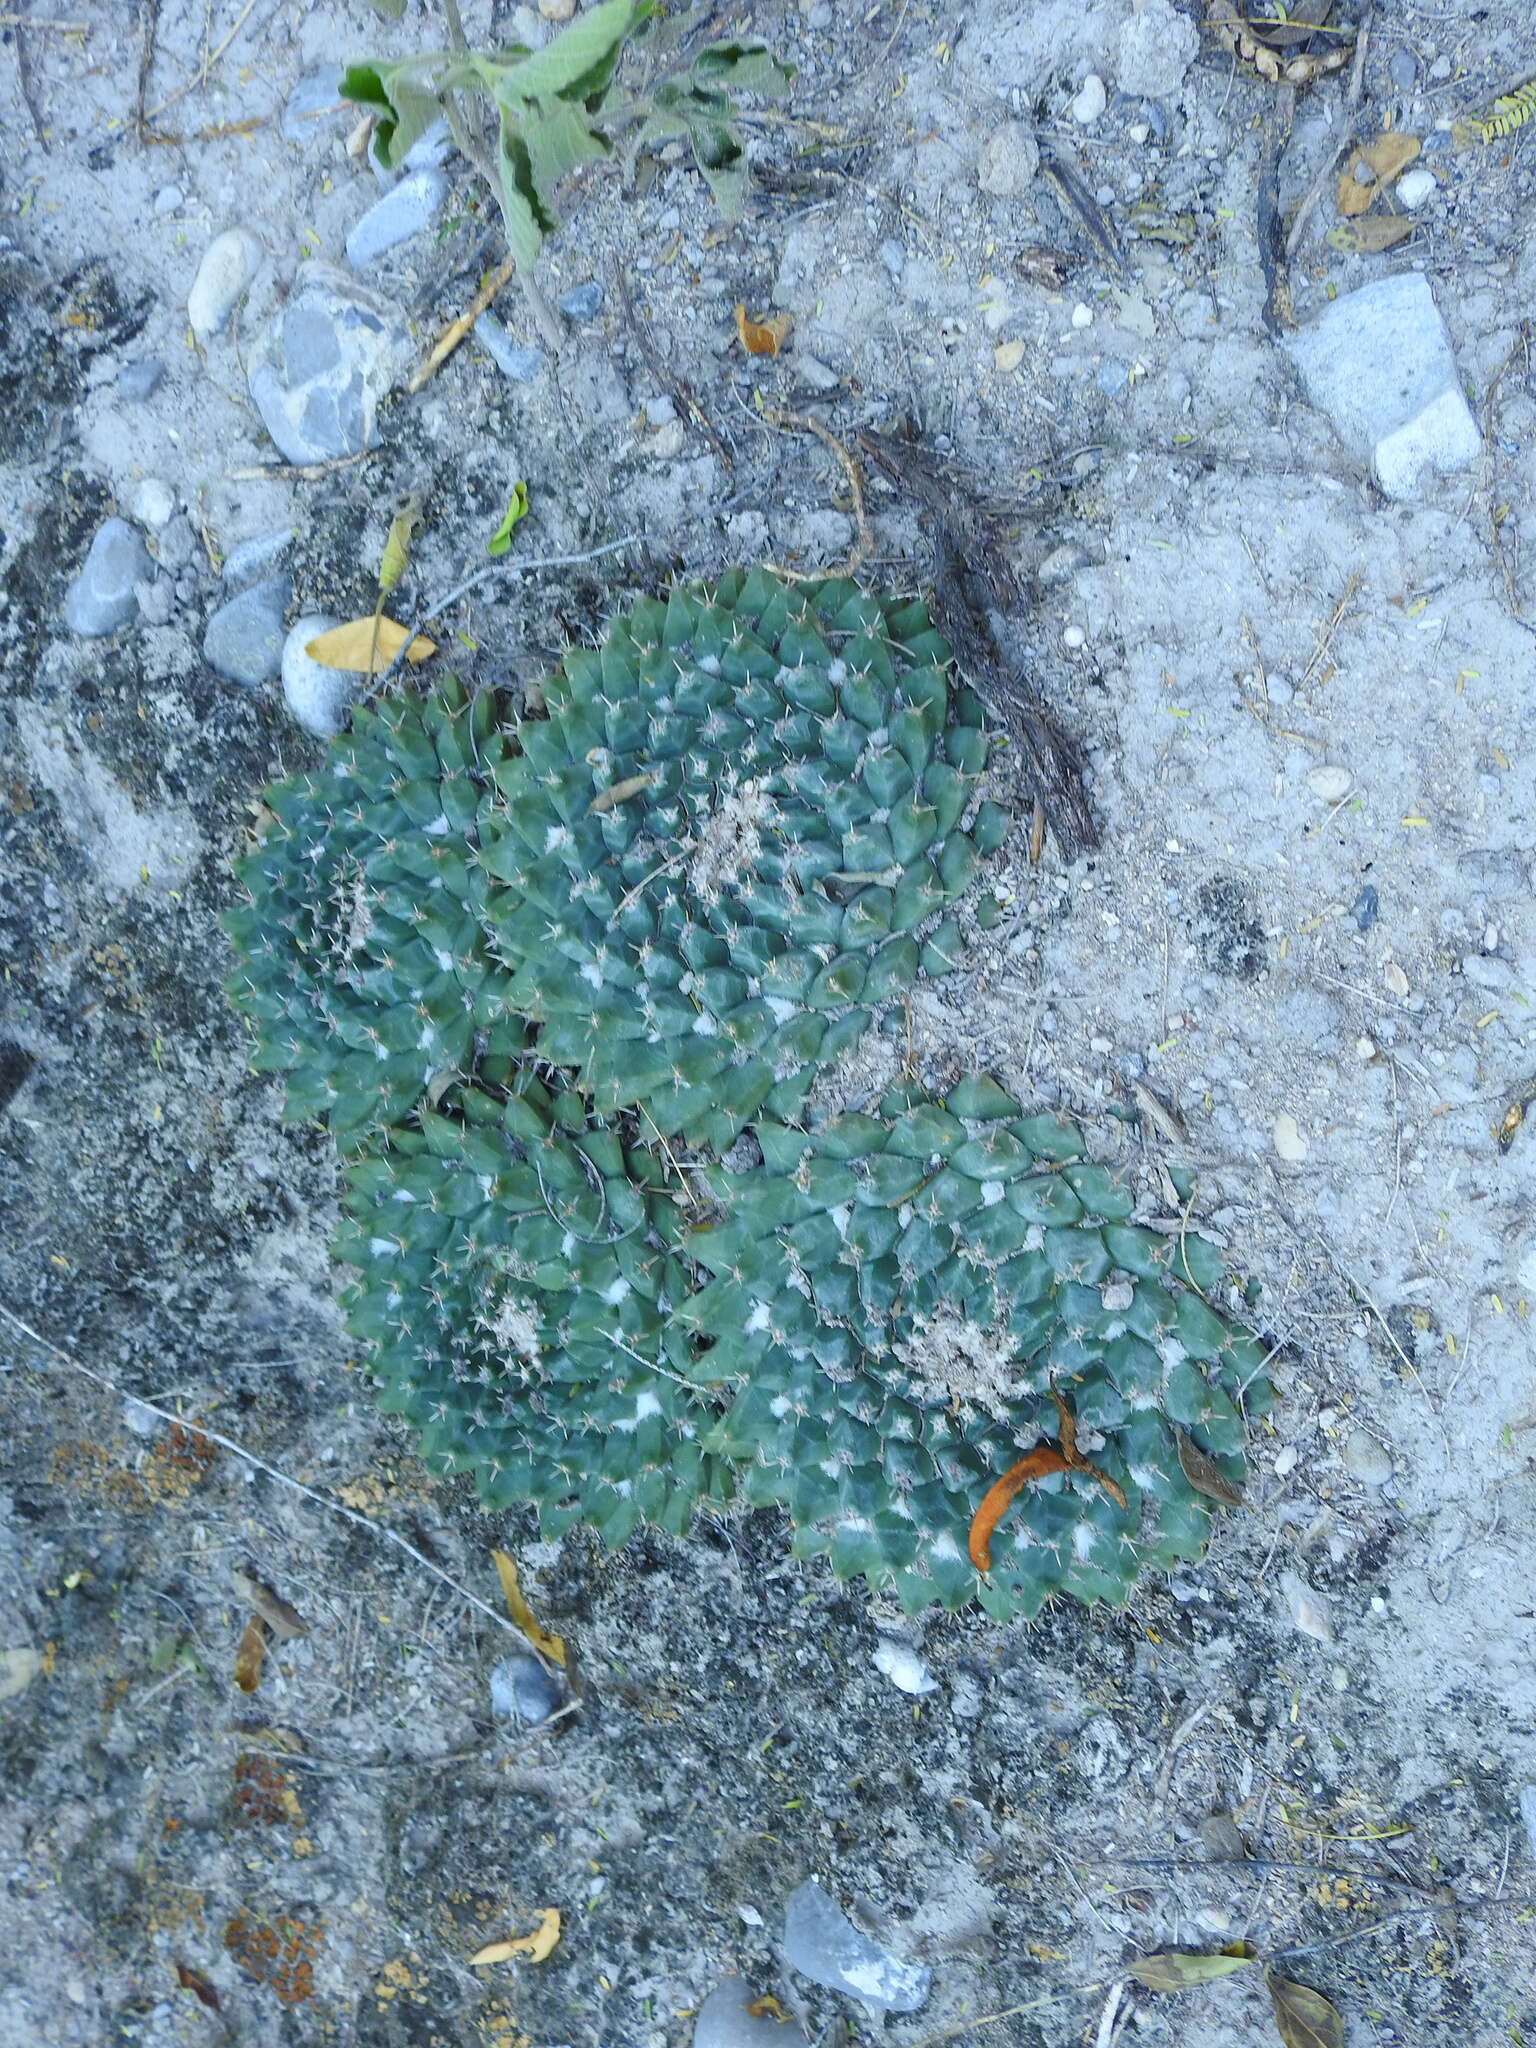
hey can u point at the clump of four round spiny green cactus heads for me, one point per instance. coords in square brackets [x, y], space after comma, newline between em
[540, 976]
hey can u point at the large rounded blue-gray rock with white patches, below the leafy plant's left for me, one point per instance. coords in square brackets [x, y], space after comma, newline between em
[325, 364]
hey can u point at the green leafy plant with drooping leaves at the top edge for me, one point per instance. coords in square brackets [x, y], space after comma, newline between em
[560, 108]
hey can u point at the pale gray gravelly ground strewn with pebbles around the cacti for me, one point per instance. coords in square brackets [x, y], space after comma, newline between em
[1279, 591]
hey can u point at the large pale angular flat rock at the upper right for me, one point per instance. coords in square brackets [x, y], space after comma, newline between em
[1379, 366]
